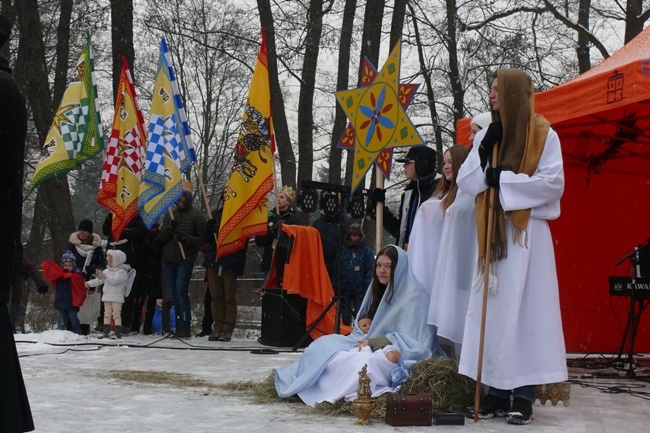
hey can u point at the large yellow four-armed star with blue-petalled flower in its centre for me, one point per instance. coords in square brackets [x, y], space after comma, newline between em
[377, 117]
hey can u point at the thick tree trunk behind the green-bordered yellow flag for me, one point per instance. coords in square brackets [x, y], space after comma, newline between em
[53, 203]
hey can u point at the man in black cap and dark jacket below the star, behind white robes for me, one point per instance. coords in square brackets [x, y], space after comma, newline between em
[420, 168]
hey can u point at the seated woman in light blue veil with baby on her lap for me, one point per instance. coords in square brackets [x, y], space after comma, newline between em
[398, 306]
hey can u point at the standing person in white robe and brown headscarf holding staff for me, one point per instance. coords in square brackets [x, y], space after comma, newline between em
[524, 341]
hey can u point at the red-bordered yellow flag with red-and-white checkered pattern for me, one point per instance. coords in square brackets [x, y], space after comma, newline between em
[124, 163]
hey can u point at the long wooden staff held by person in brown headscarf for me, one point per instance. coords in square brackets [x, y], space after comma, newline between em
[486, 284]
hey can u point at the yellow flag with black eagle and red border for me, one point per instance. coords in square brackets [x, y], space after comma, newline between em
[245, 210]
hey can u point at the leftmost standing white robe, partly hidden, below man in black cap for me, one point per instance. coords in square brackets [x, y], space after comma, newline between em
[424, 241]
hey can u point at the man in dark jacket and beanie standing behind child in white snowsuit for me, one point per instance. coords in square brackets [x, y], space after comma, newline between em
[187, 230]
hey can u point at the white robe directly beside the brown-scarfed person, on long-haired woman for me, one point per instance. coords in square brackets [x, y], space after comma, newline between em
[455, 269]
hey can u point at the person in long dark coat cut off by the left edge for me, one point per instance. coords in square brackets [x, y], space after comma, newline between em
[15, 414]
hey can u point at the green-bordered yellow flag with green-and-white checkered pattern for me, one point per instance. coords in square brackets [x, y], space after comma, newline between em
[76, 133]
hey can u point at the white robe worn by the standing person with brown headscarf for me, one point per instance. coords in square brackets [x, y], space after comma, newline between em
[524, 342]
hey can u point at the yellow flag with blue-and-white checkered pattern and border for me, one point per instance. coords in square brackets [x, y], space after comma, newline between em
[169, 145]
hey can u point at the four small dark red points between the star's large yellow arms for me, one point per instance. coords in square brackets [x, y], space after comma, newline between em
[384, 159]
